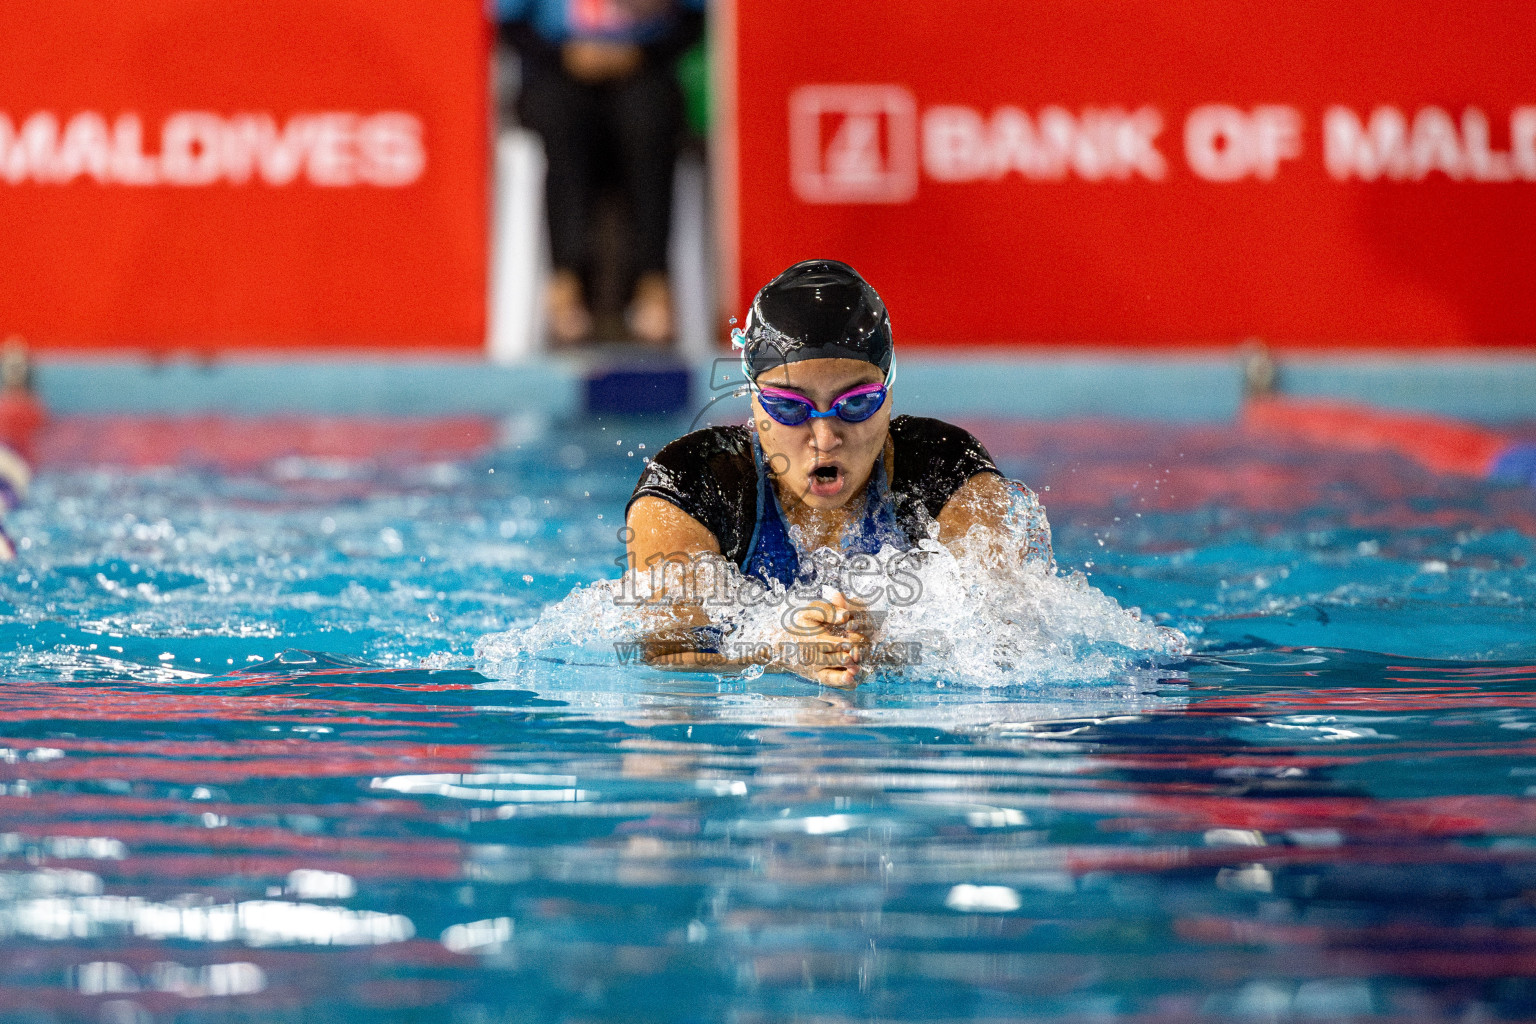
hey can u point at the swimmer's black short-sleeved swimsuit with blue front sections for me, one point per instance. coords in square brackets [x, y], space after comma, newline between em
[718, 477]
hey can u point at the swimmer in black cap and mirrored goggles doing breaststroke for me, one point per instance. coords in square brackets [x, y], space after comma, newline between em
[823, 466]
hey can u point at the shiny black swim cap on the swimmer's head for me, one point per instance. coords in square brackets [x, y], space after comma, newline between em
[818, 309]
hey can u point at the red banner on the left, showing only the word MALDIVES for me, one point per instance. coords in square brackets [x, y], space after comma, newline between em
[193, 176]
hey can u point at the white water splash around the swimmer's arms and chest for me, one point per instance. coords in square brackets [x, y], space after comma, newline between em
[984, 612]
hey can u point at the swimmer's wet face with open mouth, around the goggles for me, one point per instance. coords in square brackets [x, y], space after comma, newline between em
[824, 461]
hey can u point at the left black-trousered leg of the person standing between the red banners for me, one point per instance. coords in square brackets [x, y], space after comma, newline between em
[566, 114]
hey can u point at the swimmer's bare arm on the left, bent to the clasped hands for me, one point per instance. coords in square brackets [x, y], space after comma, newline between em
[663, 532]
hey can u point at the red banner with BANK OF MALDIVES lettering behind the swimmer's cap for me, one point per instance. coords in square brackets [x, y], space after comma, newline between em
[1147, 174]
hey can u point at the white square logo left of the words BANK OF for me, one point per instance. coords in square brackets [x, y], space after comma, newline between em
[853, 144]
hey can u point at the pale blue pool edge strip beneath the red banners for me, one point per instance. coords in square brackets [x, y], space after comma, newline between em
[1197, 388]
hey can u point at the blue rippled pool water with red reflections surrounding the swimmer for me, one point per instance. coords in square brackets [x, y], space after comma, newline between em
[254, 765]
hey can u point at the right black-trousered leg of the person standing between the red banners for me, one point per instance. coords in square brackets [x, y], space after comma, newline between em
[647, 116]
